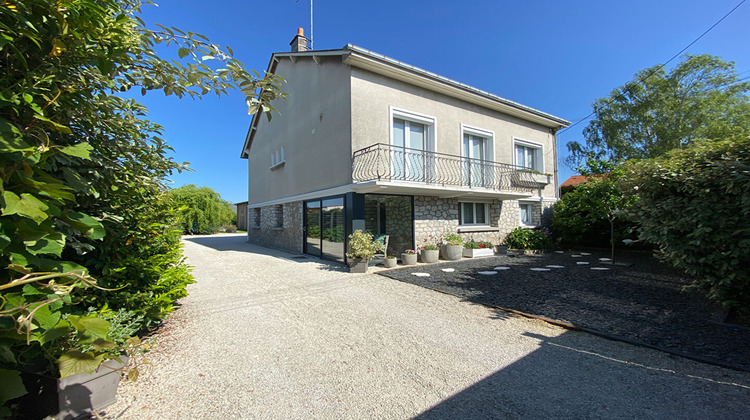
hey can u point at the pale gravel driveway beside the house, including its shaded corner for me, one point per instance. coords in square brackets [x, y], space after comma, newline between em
[265, 335]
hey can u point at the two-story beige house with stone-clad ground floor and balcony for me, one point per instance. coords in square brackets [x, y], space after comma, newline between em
[368, 142]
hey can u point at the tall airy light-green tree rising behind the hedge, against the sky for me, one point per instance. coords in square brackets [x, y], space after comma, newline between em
[657, 111]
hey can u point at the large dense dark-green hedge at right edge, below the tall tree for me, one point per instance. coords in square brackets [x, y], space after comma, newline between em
[693, 204]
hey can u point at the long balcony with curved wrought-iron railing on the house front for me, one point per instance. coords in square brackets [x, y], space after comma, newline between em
[413, 171]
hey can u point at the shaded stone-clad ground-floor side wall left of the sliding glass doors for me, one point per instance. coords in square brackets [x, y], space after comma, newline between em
[287, 237]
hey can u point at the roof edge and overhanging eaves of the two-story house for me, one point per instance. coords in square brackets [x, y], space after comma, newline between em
[378, 63]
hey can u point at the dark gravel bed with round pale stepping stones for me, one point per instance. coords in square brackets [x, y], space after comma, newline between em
[642, 301]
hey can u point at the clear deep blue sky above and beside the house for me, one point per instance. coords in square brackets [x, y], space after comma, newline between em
[555, 56]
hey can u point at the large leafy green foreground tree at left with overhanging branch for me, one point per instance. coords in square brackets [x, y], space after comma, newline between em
[87, 232]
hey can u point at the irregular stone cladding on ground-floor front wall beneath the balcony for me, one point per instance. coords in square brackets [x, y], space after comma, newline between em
[438, 216]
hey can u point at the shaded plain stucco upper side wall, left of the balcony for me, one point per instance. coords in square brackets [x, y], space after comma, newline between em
[313, 128]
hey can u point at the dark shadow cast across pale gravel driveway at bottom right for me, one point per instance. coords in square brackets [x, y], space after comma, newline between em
[564, 379]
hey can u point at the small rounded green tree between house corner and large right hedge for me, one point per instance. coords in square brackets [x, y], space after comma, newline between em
[593, 213]
